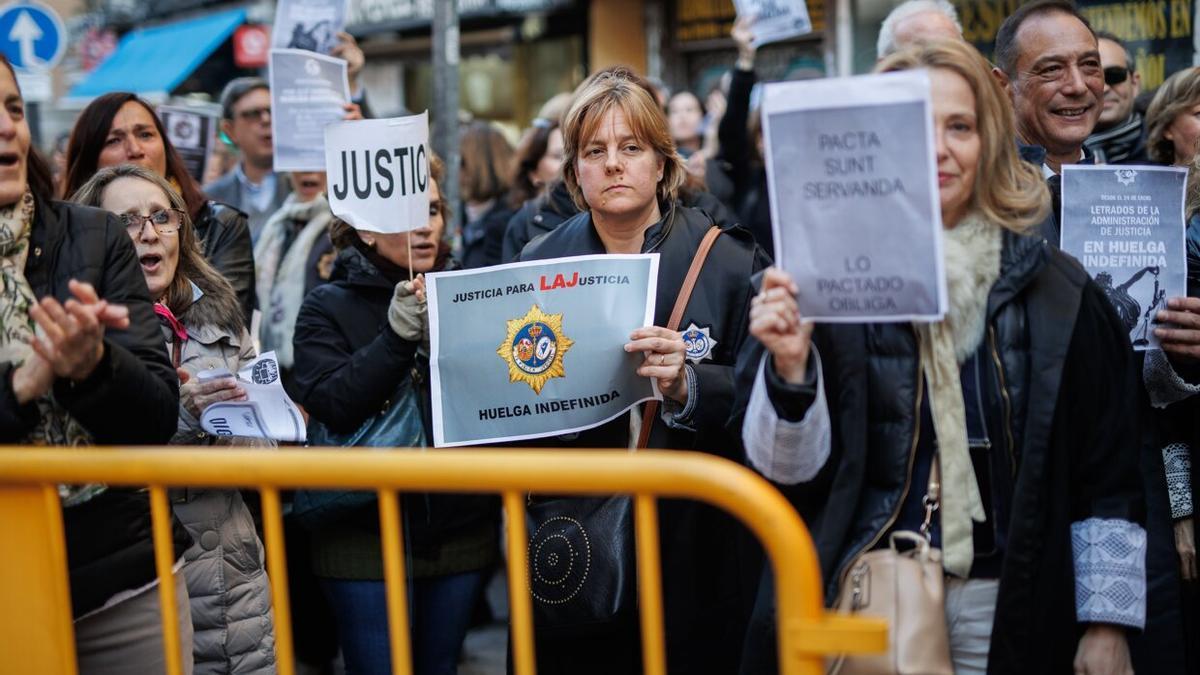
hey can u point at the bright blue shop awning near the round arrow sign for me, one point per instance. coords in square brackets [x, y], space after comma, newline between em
[154, 62]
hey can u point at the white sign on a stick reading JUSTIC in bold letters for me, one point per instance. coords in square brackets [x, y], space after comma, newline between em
[380, 172]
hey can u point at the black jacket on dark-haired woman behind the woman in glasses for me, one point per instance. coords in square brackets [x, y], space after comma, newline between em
[225, 242]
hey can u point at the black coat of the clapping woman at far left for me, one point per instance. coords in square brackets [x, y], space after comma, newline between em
[133, 397]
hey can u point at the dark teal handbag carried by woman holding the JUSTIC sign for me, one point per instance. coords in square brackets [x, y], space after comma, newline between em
[400, 425]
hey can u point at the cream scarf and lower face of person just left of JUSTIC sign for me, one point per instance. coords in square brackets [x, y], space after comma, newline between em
[293, 255]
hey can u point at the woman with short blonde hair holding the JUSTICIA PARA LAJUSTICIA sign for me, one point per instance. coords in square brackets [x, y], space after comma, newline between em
[625, 175]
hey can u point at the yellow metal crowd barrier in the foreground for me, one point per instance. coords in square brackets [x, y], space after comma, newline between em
[37, 634]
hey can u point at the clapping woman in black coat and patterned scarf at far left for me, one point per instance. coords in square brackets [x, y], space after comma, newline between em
[83, 363]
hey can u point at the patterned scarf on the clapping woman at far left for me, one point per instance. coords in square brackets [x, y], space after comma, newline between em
[56, 427]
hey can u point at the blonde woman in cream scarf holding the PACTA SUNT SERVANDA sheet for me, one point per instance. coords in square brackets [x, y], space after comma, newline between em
[1022, 399]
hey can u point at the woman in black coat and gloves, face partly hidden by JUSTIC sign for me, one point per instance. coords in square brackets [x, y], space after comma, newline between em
[362, 372]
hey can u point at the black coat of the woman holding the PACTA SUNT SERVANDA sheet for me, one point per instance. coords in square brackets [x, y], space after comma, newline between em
[1066, 403]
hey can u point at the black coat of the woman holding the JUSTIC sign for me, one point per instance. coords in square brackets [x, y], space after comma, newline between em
[349, 363]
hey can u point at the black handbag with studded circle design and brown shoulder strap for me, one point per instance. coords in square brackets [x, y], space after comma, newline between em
[583, 571]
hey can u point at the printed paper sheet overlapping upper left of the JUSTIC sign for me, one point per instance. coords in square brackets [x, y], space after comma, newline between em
[309, 92]
